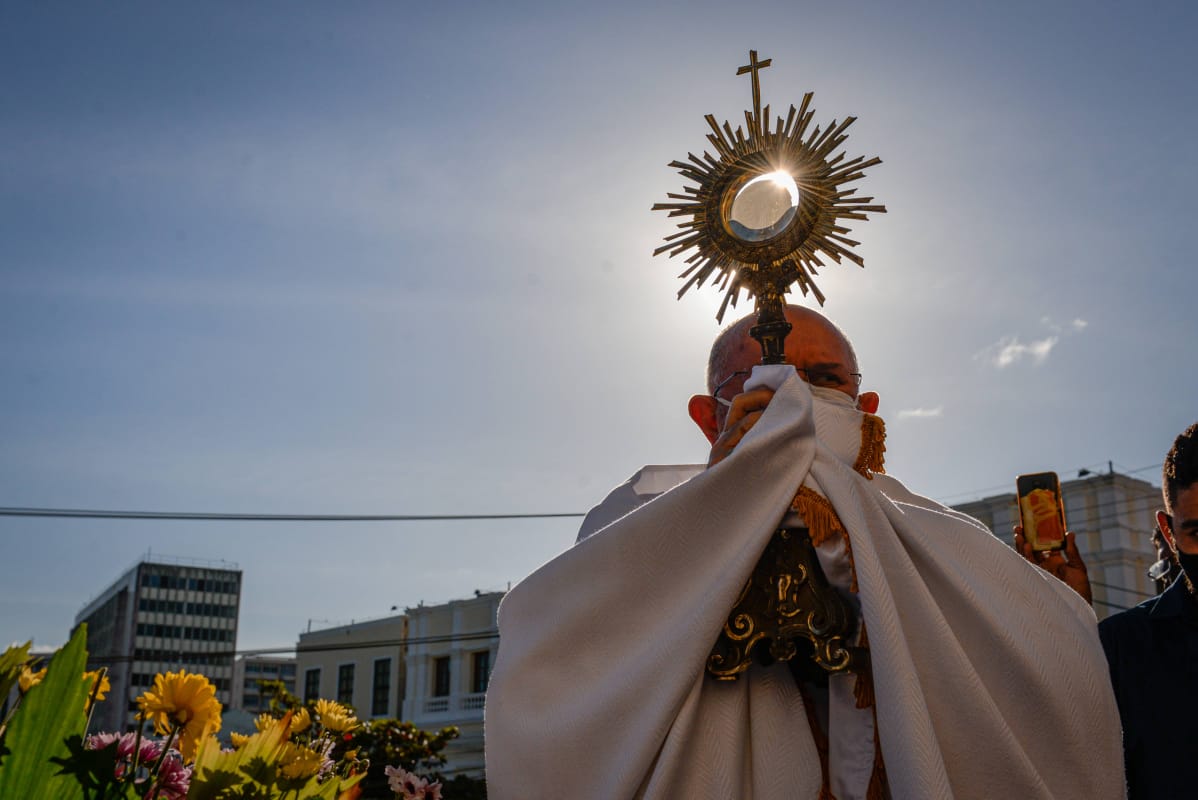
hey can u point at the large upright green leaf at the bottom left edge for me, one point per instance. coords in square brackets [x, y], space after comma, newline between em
[50, 713]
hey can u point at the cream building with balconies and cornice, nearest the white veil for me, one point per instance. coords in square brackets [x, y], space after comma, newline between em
[451, 652]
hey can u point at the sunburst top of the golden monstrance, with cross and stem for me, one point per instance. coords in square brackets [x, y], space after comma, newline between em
[769, 208]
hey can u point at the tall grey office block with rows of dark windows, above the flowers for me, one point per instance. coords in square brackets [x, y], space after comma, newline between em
[161, 616]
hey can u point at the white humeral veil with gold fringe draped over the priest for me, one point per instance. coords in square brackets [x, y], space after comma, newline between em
[989, 677]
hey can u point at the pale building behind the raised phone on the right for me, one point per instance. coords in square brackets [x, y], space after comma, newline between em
[1112, 517]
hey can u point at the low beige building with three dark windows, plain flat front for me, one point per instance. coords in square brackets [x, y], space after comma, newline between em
[360, 665]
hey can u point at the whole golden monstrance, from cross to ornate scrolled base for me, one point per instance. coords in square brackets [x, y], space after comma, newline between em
[764, 215]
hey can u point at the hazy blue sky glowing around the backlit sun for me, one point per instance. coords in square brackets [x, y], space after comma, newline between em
[396, 259]
